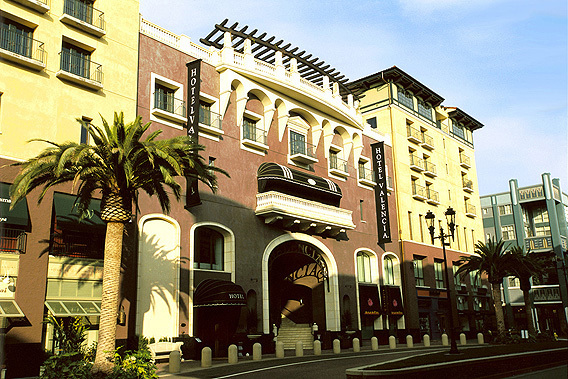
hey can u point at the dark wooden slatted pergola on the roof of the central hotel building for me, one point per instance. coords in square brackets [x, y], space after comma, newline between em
[263, 48]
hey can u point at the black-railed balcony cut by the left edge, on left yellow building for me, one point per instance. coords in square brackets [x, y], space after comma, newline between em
[21, 49]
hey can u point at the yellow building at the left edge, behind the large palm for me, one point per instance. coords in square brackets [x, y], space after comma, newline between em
[60, 60]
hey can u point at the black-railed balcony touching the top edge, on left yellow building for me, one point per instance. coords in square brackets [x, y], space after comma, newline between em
[82, 15]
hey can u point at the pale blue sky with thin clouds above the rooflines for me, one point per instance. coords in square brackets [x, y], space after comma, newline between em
[504, 62]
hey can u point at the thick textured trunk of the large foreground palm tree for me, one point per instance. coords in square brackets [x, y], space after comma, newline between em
[109, 305]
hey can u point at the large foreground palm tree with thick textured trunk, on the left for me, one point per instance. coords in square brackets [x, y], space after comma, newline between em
[117, 165]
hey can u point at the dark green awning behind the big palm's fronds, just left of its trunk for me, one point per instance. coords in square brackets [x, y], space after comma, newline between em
[66, 211]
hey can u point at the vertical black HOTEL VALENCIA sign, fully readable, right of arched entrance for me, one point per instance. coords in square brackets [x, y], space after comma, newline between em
[381, 193]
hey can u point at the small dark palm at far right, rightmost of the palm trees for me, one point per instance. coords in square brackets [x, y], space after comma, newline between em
[524, 267]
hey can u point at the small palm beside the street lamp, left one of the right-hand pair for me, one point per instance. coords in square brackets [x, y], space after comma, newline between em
[490, 259]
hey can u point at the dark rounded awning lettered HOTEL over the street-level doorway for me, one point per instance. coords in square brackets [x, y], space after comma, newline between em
[215, 292]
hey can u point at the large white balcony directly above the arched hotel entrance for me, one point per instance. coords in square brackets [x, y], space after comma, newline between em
[302, 214]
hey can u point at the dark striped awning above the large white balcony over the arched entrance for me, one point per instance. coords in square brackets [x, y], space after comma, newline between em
[276, 177]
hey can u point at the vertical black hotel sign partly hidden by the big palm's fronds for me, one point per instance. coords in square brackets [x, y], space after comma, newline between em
[193, 88]
